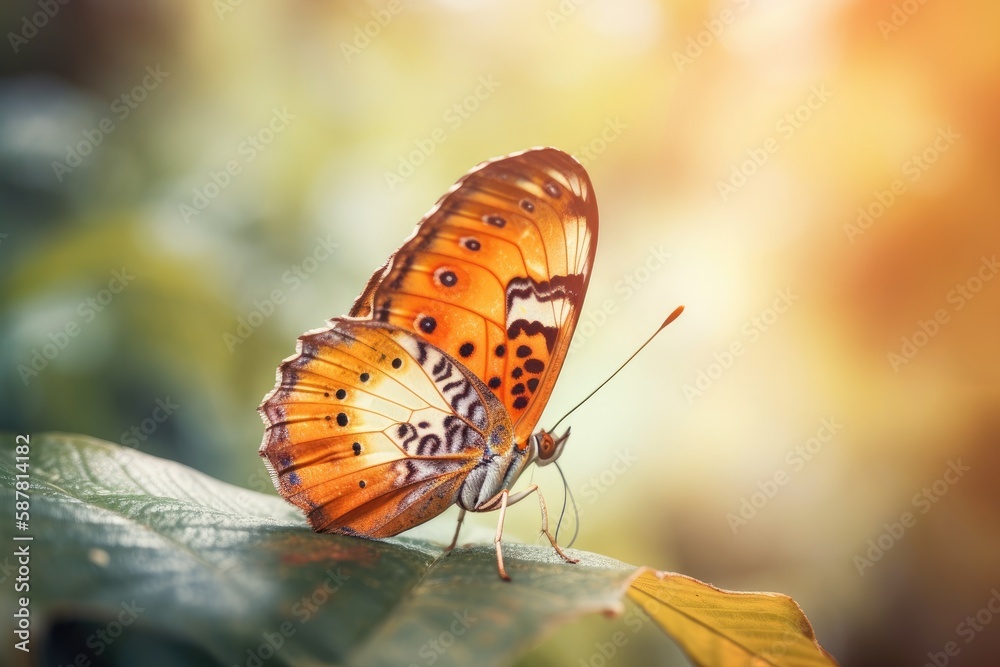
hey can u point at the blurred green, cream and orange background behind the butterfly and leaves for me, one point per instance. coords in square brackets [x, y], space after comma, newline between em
[185, 187]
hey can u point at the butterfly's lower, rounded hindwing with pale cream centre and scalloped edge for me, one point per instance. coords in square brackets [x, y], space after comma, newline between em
[371, 430]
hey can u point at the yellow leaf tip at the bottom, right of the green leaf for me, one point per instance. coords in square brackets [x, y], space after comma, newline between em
[720, 628]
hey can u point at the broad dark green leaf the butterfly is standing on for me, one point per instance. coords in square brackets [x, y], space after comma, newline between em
[231, 571]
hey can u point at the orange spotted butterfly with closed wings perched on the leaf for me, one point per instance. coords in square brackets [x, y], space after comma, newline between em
[428, 392]
